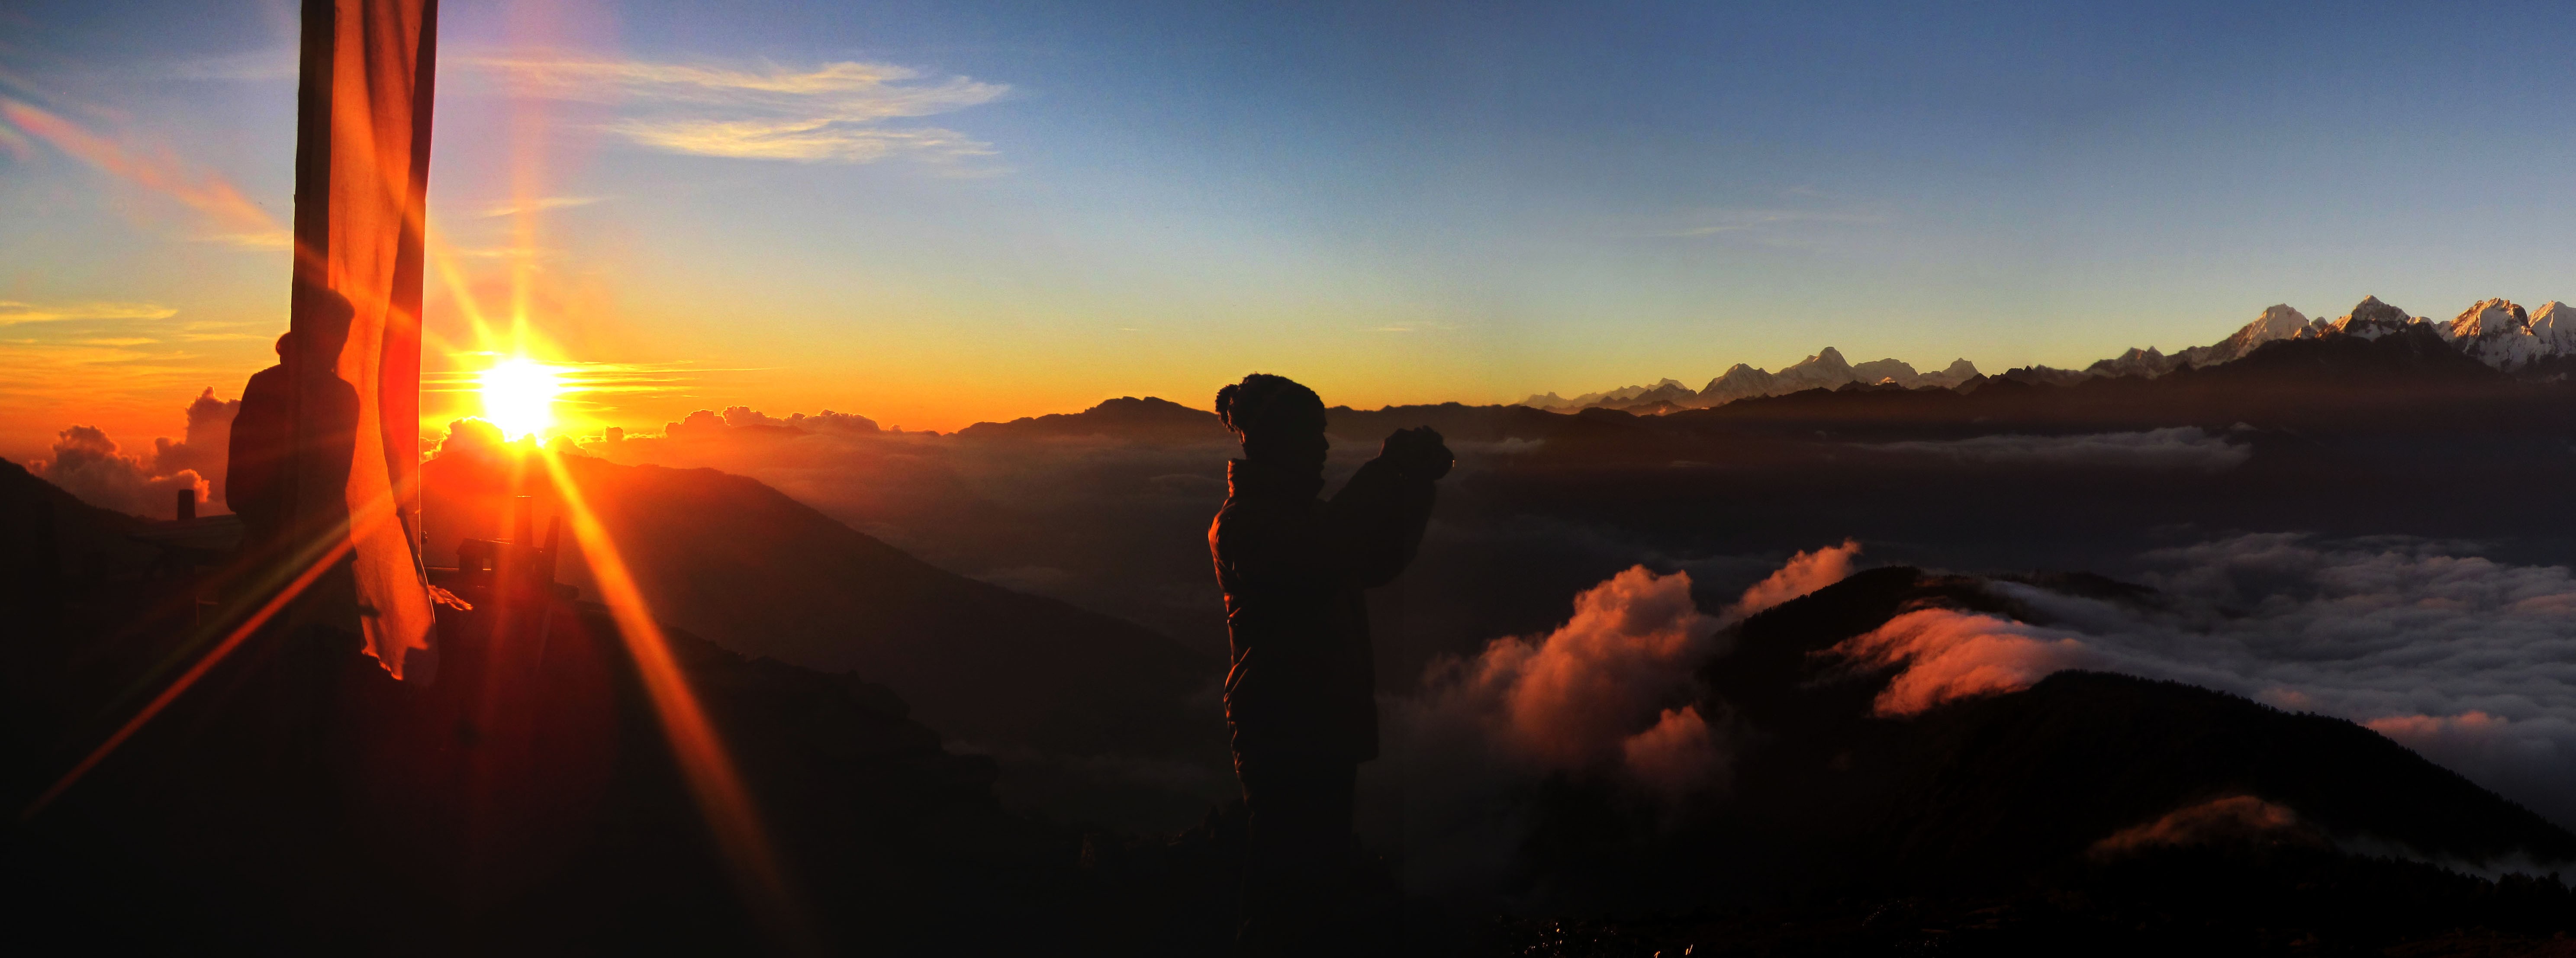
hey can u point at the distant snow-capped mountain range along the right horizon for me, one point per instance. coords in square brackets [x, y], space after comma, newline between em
[2492, 331]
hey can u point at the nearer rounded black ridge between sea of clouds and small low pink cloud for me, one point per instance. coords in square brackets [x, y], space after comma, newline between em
[2034, 779]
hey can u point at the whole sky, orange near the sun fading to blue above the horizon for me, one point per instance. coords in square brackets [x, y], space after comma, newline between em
[952, 212]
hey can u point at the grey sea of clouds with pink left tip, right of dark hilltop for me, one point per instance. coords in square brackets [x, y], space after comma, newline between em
[2467, 661]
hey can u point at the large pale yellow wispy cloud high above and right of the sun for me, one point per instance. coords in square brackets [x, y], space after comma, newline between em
[823, 115]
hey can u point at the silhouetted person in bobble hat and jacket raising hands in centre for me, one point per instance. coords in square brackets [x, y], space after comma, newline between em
[1302, 691]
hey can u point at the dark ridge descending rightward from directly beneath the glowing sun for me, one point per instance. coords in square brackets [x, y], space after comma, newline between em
[1091, 715]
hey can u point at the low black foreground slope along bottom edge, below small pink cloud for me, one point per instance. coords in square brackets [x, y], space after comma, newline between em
[2170, 903]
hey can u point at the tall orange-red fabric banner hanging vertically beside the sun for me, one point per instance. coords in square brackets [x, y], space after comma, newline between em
[362, 184]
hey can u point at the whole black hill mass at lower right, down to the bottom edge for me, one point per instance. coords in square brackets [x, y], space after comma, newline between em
[2013, 823]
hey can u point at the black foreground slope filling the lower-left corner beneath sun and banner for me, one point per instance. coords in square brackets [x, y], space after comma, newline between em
[524, 802]
